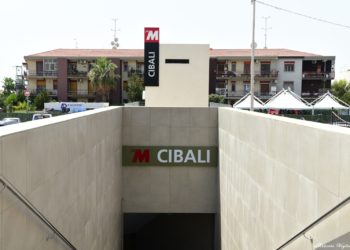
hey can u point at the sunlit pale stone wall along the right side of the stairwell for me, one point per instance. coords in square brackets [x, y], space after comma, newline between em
[278, 175]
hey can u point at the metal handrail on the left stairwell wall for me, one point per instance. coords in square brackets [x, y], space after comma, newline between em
[8, 185]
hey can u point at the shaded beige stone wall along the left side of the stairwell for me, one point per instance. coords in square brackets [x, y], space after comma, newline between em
[69, 167]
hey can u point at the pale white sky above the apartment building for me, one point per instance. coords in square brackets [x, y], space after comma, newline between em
[29, 27]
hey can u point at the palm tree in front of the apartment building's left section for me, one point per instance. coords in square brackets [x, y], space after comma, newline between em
[103, 78]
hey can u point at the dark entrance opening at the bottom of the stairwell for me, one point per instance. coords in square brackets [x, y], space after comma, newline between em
[155, 231]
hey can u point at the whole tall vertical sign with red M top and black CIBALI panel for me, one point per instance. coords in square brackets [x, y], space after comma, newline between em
[152, 57]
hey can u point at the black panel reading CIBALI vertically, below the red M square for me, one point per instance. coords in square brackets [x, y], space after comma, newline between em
[152, 64]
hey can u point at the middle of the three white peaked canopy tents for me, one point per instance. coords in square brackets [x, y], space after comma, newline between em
[287, 99]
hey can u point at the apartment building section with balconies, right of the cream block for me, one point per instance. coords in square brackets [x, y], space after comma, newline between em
[309, 75]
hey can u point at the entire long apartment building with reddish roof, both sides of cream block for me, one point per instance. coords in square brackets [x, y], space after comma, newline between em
[64, 73]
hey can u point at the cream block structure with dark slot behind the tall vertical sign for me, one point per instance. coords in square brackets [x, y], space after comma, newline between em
[181, 85]
